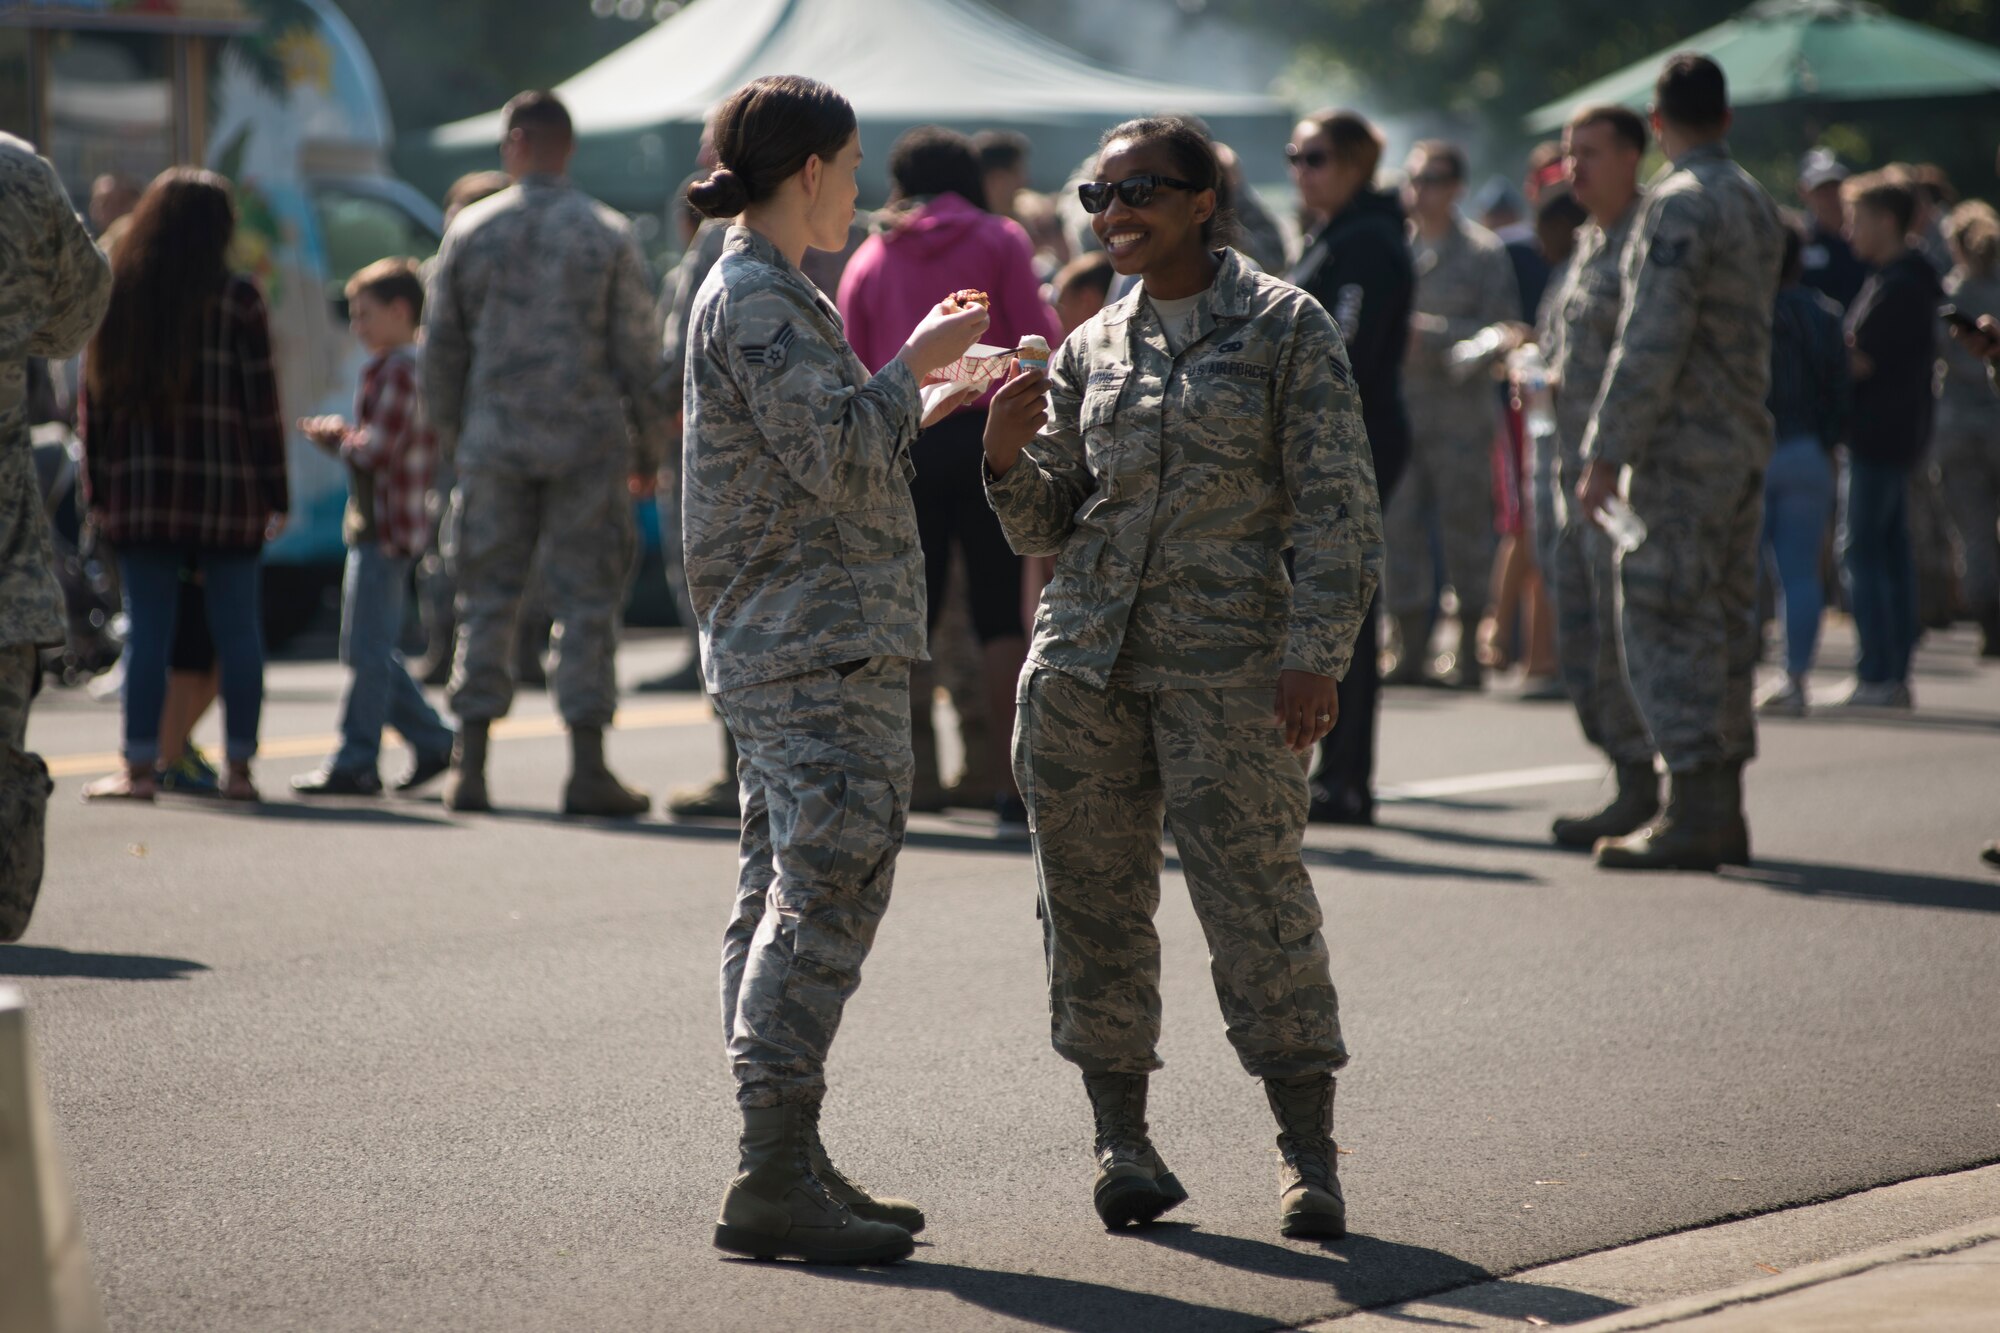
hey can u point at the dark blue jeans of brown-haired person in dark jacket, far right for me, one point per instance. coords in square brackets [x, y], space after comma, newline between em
[1879, 569]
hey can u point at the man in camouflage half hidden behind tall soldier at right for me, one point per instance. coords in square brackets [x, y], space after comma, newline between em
[1605, 149]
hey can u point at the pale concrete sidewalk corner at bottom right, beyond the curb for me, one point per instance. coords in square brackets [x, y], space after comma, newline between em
[1939, 1284]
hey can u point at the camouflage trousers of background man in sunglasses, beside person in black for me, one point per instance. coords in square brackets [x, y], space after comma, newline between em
[1449, 485]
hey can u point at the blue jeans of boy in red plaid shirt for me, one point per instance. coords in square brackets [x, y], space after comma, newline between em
[373, 597]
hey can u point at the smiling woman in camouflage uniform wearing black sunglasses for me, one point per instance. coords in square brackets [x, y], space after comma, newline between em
[1185, 439]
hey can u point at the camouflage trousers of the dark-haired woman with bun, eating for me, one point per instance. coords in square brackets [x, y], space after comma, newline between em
[825, 770]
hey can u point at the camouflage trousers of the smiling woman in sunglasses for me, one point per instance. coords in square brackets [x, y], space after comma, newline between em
[1099, 772]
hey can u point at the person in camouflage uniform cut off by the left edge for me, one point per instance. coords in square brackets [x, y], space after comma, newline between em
[53, 293]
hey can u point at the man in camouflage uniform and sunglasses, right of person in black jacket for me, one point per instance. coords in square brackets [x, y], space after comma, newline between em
[1465, 283]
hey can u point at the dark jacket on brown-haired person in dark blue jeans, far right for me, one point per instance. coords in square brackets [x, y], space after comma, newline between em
[1895, 325]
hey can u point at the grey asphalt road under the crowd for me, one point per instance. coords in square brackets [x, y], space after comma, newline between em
[377, 1068]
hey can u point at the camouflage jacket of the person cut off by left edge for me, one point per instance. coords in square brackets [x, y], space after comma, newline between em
[53, 293]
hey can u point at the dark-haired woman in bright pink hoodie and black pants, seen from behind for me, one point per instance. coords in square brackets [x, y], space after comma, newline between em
[939, 239]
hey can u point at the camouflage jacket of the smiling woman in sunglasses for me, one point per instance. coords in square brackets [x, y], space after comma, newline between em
[1171, 487]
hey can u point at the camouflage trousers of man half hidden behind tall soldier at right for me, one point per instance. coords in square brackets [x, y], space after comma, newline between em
[1583, 583]
